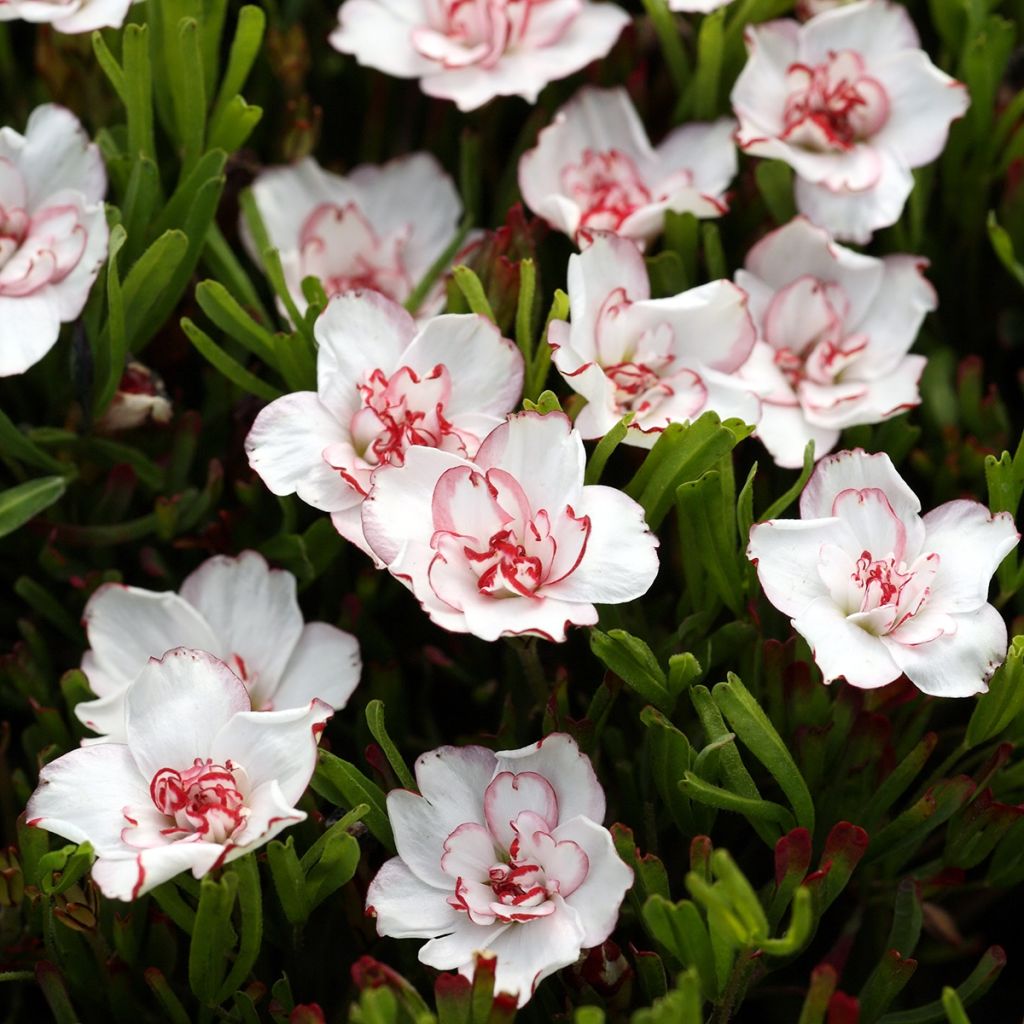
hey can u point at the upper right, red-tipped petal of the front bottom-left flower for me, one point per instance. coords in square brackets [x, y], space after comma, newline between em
[274, 746]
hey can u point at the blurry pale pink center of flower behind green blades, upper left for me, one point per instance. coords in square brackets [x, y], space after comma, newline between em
[340, 247]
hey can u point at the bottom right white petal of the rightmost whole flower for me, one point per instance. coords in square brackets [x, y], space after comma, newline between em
[959, 665]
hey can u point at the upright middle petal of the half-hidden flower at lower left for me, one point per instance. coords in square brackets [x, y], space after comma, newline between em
[253, 612]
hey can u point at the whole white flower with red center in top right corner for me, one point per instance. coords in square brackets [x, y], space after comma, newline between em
[851, 103]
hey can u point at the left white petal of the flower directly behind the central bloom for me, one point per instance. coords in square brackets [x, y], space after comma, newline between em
[286, 448]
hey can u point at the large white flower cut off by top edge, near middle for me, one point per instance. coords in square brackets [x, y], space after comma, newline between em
[473, 51]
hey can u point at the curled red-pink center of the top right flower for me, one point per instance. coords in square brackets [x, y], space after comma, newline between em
[834, 105]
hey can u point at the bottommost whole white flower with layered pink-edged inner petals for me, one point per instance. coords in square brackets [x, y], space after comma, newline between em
[502, 852]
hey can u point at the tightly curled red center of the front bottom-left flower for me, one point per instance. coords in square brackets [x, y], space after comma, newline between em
[204, 800]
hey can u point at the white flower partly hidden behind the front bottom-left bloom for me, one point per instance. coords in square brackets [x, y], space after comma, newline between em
[240, 611]
